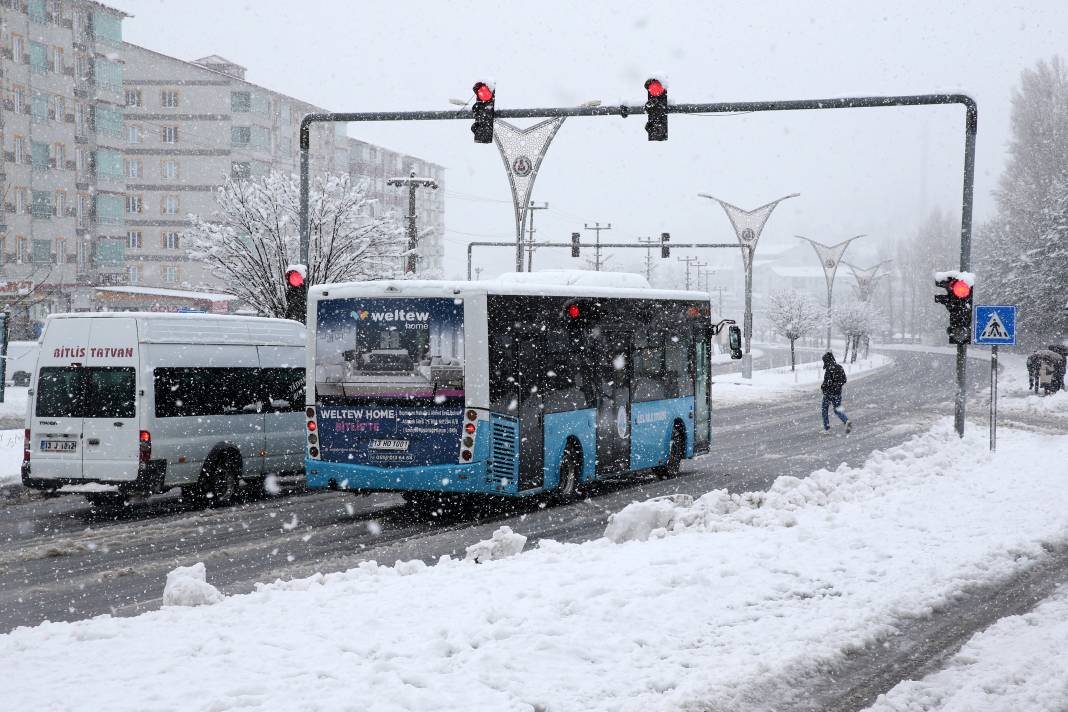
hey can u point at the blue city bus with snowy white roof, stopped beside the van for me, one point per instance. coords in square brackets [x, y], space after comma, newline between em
[523, 386]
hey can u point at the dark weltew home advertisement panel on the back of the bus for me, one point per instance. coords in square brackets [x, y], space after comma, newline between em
[389, 377]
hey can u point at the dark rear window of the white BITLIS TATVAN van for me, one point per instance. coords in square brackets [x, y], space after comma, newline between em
[86, 392]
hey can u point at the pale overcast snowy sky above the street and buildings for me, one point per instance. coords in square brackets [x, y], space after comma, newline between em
[872, 171]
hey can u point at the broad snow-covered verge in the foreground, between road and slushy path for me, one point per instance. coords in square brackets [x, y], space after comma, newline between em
[729, 602]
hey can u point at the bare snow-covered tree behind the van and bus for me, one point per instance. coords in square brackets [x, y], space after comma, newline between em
[255, 235]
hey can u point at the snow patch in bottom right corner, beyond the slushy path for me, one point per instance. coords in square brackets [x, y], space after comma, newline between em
[1016, 664]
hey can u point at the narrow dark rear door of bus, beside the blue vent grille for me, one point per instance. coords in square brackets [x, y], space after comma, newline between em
[531, 410]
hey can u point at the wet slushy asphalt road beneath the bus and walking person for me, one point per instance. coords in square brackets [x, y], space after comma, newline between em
[61, 562]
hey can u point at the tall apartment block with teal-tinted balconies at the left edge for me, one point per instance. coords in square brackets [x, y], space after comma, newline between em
[61, 132]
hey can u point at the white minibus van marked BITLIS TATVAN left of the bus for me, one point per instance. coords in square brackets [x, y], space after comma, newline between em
[147, 402]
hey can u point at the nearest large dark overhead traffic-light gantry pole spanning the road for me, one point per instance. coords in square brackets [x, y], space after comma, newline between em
[971, 128]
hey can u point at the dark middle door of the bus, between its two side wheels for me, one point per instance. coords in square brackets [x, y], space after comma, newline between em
[612, 354]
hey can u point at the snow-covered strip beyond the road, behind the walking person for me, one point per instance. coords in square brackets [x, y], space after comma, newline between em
[777, 384]
